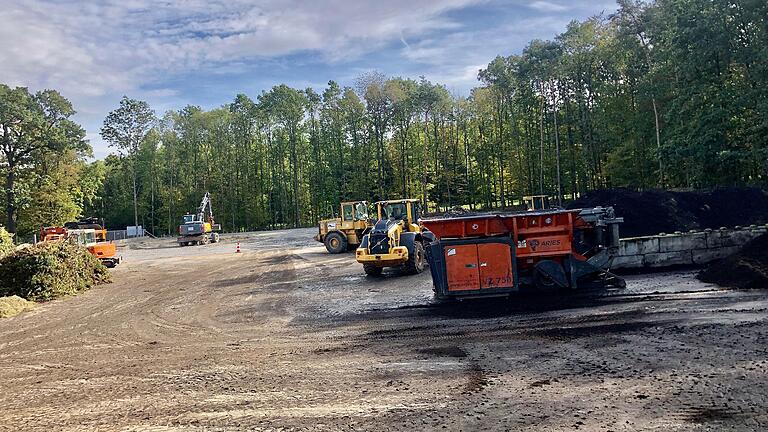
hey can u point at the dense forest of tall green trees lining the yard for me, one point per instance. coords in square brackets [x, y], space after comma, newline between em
[668, 94]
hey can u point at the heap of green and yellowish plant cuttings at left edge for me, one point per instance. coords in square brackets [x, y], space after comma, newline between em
[50, 270]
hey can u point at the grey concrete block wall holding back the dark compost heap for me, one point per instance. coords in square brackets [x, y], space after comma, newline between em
[695, 247]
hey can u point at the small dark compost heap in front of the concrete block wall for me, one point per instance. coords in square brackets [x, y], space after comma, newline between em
[747, 268]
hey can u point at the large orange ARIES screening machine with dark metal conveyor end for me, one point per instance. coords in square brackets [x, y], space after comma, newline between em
[497, 254]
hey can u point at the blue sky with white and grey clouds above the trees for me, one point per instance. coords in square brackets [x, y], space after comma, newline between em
[204, 52]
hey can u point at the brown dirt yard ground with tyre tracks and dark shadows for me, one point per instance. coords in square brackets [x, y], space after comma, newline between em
[287, 337]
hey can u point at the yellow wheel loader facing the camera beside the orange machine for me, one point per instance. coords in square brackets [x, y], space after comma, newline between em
[396, 240]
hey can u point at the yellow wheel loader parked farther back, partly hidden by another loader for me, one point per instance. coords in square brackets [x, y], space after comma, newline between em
[340, 234]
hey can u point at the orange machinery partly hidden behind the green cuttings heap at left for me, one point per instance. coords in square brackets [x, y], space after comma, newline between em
[90, 233]
